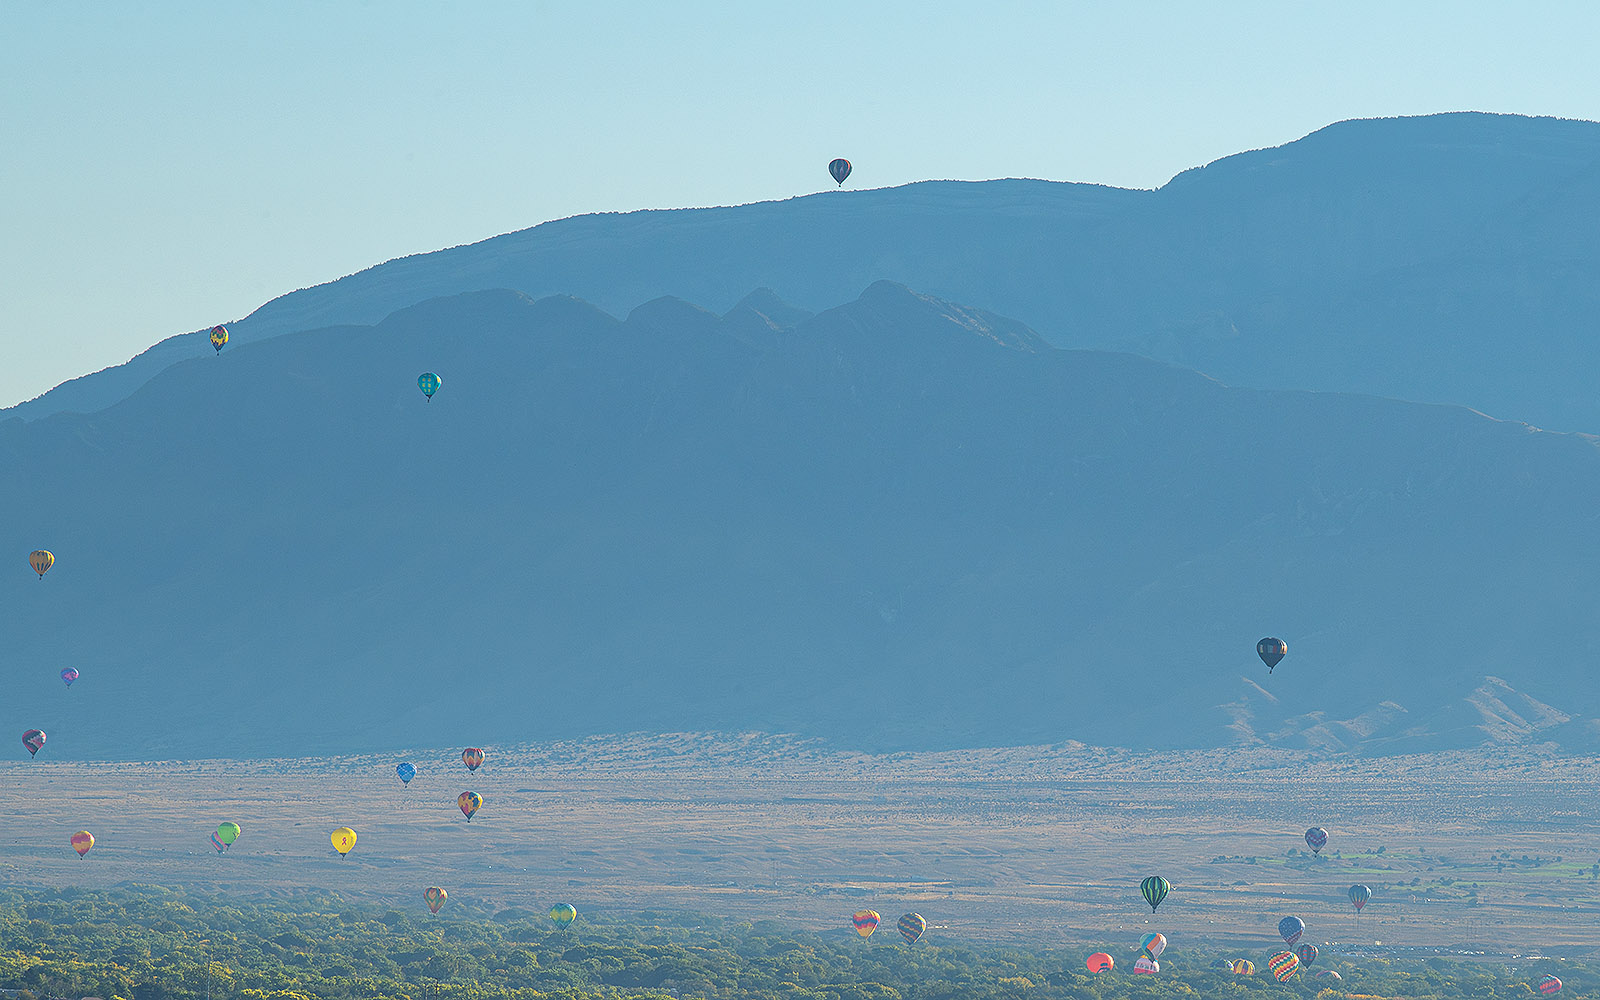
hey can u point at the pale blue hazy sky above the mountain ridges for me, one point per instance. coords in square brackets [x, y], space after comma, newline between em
[167, 167]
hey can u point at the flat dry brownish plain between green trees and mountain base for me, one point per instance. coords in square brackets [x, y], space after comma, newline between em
[1473, 852]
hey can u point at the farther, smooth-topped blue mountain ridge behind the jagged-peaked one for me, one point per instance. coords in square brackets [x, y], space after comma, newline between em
[1447, 258]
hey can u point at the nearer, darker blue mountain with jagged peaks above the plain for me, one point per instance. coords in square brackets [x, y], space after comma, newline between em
[897, 524]
